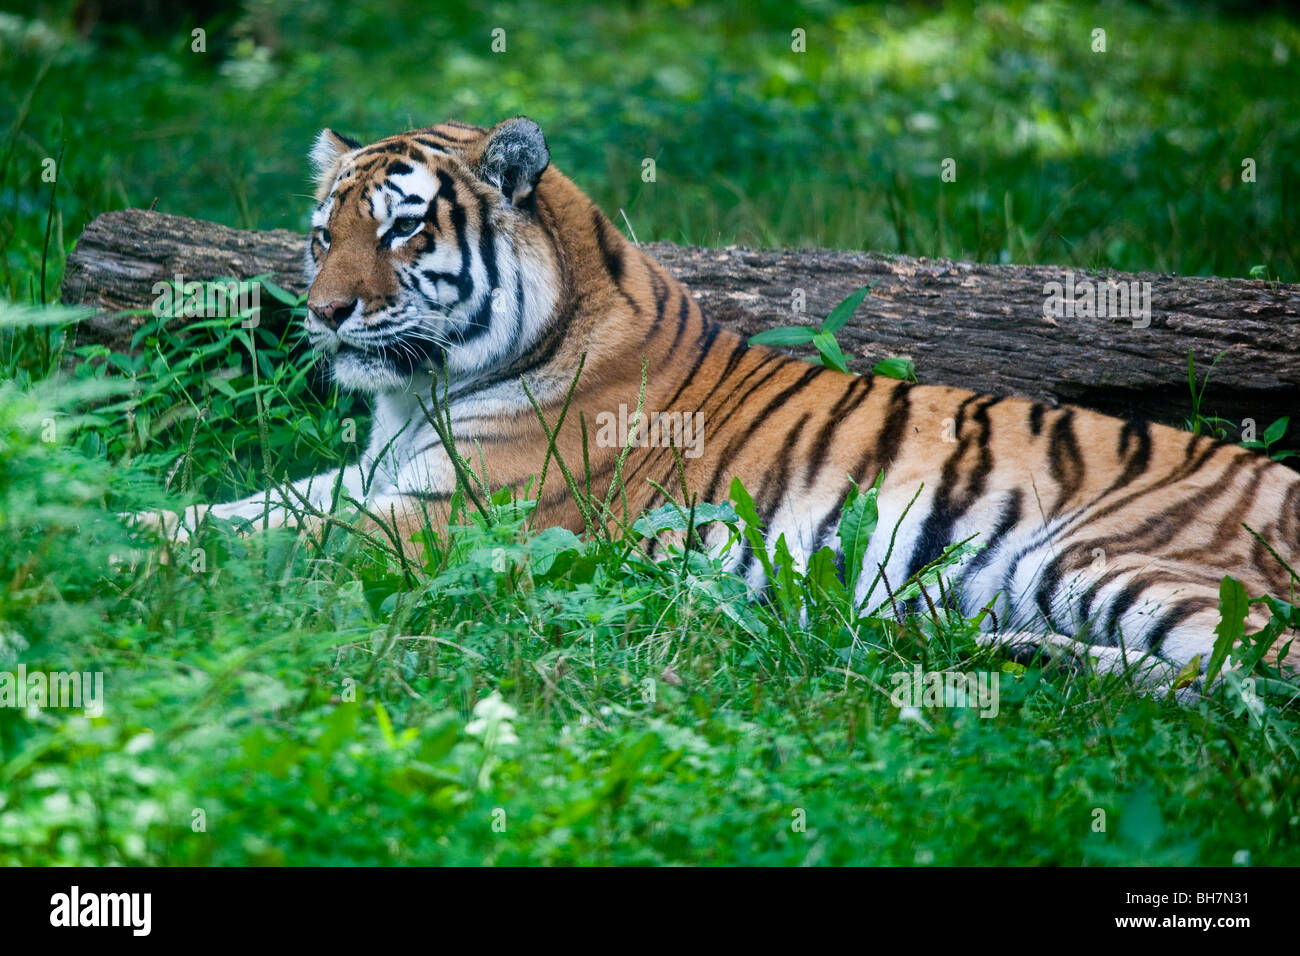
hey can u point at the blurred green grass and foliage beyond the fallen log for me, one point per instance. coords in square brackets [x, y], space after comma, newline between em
[1129, 159]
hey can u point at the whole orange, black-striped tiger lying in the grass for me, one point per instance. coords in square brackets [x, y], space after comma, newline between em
[456, 265]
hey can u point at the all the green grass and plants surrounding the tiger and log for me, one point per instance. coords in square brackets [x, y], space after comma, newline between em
[541, 699]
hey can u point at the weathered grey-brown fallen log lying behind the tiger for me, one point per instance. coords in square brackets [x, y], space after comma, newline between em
[978, 327]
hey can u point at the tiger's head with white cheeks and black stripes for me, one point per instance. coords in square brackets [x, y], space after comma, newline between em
[427, 254]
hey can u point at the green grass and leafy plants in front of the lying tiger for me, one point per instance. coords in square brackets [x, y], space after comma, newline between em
[323, 703]
